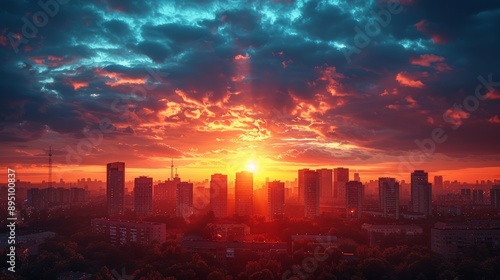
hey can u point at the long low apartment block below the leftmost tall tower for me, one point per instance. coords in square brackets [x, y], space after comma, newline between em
[123, 232]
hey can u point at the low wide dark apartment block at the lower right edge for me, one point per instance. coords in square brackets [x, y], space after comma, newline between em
[454, 239]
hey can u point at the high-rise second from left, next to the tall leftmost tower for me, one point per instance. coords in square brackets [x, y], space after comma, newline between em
[143, 195]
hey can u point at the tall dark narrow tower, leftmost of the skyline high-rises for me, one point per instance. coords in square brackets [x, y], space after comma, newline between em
[115, 188]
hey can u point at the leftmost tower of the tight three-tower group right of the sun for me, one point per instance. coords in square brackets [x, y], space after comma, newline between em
[311, 193]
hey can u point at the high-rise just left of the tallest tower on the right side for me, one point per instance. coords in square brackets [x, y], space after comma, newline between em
[388, 190]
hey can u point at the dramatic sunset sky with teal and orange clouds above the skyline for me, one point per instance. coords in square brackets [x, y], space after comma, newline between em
[222, 86]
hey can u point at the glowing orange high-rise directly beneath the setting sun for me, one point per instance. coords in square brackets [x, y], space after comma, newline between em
[244, 193]
